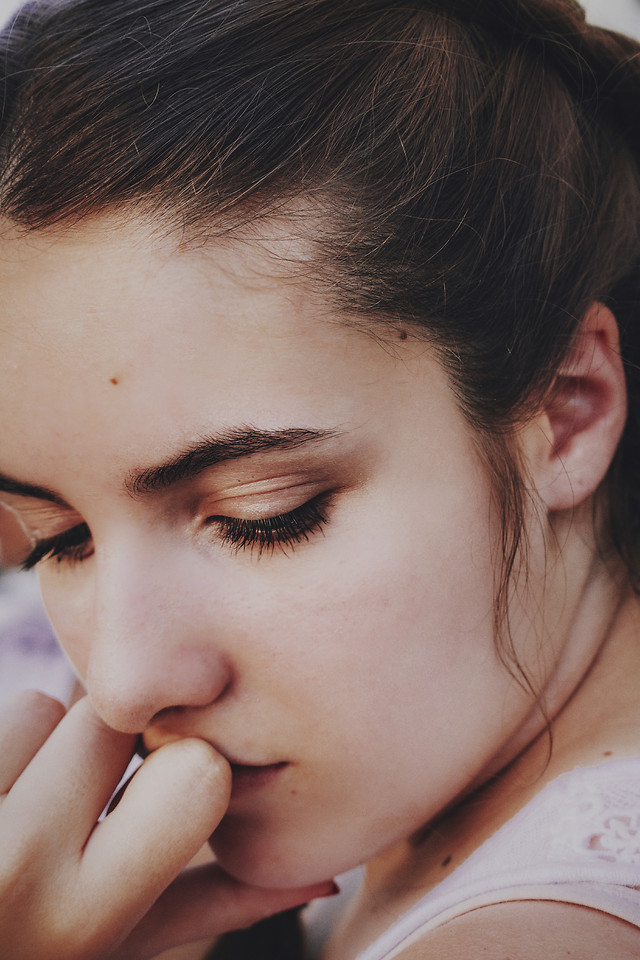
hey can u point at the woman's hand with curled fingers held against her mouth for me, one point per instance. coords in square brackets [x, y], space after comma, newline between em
[73, 888]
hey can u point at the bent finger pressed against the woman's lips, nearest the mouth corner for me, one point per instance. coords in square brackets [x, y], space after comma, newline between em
[172, 805]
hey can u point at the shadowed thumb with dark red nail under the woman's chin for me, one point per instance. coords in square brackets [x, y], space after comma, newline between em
[205, 902]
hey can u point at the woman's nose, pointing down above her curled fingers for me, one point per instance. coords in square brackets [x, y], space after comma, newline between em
[154, 646]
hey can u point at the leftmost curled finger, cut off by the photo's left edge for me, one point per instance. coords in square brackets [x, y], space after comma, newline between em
[26, 721]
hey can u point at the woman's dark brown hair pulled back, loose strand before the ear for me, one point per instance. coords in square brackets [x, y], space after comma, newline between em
[473, 166]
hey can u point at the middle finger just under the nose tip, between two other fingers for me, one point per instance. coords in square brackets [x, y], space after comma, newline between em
[68, 783]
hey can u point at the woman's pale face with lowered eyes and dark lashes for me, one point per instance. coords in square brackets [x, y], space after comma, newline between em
[289, 539]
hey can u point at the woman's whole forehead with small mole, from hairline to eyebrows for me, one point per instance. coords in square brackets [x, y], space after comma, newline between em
[116, 344]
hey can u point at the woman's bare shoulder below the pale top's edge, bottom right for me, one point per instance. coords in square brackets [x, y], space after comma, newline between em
[529, 930]
